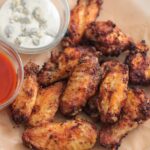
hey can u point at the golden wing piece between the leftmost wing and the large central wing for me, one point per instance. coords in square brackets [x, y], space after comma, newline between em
[46, 105]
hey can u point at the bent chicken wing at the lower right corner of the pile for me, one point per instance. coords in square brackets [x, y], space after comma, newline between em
[136, 110]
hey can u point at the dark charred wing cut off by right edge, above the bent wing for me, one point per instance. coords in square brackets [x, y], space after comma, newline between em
[139, 65]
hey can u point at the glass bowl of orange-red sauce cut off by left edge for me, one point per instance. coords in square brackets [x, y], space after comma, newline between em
[11, 74]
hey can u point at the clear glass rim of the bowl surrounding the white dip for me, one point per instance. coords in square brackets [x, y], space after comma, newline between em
[64, 12]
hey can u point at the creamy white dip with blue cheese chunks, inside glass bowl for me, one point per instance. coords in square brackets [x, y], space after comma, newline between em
[29, 23]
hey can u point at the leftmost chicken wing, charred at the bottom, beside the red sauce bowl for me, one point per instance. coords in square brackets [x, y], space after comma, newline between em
[22, 106]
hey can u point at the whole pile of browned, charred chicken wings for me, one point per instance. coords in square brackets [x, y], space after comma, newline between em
[82, 78]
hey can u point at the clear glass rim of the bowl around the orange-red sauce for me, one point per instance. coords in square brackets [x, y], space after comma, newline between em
[11, 54]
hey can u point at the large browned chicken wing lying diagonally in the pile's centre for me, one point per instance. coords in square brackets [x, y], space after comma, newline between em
[81, 86]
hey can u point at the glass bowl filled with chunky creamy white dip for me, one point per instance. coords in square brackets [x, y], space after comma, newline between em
[34, 26]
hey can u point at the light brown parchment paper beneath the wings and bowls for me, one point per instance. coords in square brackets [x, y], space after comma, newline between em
[133, 17]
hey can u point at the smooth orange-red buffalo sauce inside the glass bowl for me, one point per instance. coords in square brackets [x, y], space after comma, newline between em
[8, 78]
